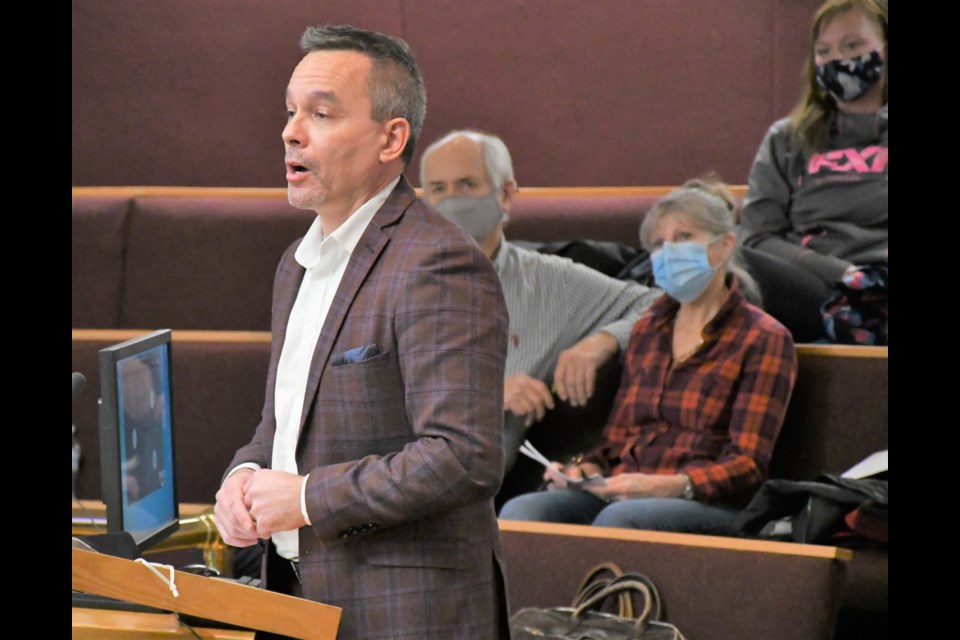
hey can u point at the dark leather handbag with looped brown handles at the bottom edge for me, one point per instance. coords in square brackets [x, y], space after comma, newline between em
[586, 620]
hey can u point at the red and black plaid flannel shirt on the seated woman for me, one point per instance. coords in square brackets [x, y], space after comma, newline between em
[714, 416]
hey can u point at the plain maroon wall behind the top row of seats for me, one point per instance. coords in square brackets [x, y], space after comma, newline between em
[598, 92]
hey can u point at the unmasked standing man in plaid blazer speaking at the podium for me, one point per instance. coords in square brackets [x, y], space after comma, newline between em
[379, 450]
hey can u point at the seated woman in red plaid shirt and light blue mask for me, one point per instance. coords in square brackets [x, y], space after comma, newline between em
[706, 382]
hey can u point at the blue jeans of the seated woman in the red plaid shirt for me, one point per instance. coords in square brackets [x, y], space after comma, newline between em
[657, 514]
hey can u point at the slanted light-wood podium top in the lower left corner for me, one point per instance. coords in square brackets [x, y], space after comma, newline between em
[203, 597]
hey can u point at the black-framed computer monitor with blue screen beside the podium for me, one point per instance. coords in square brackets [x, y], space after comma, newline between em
[137, 438]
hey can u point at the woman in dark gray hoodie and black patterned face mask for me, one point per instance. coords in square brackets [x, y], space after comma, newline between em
[817, 194]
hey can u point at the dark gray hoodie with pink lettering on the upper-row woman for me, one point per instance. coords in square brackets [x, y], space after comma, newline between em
[823, 211]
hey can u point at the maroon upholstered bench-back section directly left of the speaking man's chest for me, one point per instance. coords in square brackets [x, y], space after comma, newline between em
[206, 263]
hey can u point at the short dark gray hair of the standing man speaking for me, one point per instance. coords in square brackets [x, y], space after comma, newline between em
[394, 82]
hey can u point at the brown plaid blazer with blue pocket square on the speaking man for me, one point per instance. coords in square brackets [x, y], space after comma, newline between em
[401, 432]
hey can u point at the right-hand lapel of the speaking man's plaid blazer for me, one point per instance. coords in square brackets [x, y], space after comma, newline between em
[372, 243]
